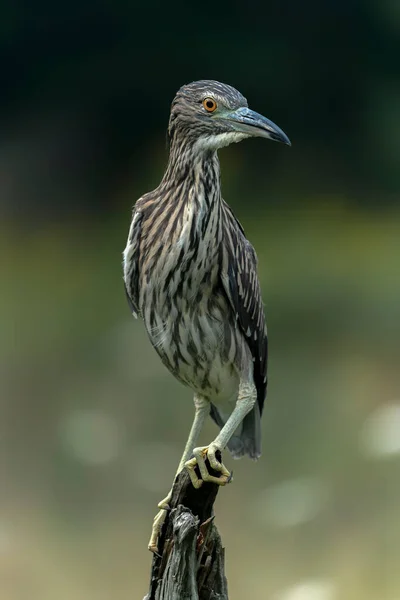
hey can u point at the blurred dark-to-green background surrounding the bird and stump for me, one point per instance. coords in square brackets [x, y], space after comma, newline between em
[91, 423]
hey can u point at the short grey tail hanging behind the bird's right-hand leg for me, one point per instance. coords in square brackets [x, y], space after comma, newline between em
[247, 438]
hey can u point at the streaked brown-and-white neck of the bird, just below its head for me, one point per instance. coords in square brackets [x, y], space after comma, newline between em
[195, 171]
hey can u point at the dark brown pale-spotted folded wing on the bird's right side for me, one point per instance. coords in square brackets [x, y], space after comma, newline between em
[241, 284]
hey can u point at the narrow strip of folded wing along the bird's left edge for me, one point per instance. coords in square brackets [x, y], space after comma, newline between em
[131, 262]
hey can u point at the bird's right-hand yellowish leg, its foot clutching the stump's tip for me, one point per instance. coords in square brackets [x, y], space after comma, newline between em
[245, 402]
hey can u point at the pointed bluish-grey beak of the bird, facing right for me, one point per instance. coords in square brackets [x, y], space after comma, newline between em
[247, 121]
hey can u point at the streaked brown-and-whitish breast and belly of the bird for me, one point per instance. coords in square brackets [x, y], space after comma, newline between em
[185, 311]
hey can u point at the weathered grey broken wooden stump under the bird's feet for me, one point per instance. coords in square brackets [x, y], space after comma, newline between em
[190, 564]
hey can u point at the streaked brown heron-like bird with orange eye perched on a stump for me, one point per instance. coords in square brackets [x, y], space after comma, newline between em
[191, 274]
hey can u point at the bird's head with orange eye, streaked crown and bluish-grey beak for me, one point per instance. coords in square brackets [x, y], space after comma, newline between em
[212, 115]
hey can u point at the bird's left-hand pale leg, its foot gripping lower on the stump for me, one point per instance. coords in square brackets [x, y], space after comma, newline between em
[202, 408]
